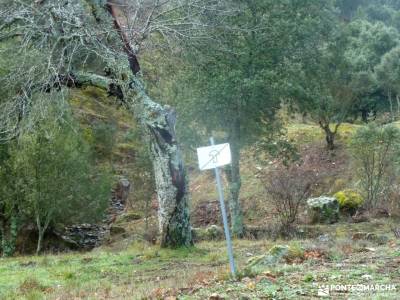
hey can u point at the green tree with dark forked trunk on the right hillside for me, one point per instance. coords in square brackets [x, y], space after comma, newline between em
[323, 85]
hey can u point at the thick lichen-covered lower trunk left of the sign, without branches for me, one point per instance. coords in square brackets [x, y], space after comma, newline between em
[170, 176]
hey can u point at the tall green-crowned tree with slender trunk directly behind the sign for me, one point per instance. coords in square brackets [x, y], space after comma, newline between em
[236, 78]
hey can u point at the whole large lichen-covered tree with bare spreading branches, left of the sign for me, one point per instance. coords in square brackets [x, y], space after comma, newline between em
[90, 42]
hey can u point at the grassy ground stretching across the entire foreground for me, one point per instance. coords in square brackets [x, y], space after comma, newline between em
[142, 271]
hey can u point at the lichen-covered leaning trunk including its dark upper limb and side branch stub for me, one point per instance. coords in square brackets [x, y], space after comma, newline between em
[159, 124]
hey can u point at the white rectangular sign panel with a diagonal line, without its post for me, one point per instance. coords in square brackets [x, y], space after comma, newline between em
[214, 156]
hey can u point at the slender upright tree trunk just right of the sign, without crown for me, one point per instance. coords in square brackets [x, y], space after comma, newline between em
[235, 182]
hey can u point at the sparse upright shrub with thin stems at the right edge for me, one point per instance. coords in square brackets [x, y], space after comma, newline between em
[375, 150]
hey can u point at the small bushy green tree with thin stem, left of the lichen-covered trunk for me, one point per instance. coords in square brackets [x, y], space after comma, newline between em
[59, 184]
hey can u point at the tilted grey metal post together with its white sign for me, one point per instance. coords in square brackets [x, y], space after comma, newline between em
[211, 158]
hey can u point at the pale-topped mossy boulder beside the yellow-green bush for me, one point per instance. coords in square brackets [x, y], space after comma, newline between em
[323, 209]
